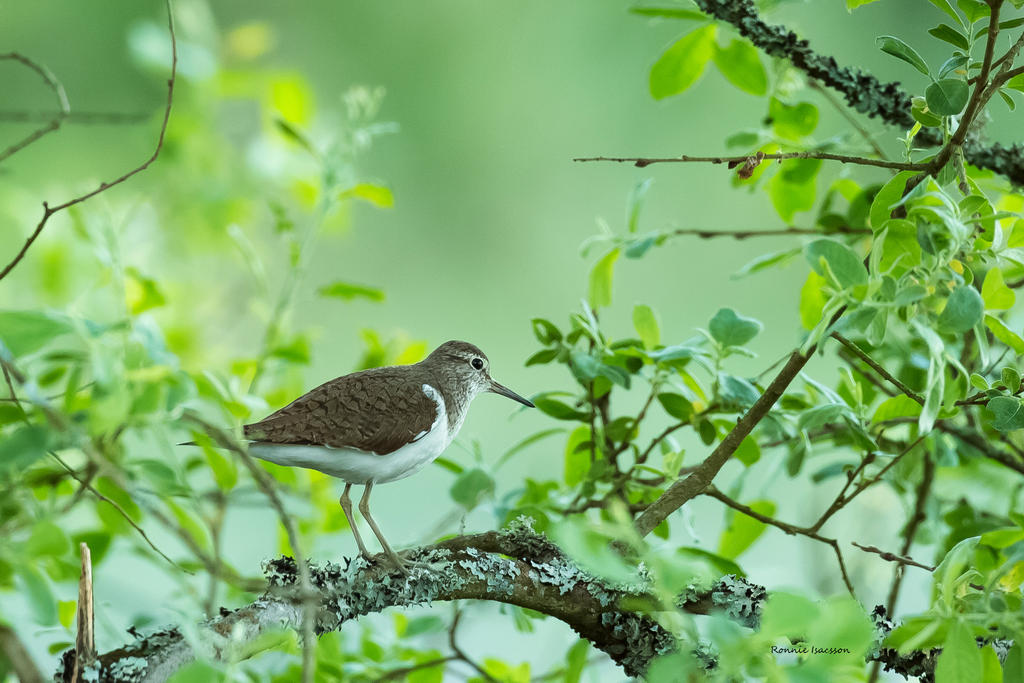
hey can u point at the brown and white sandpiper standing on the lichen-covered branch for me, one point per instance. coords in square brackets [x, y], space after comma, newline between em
[378, 425]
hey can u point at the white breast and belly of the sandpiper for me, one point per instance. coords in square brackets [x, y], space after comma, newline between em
[357, 466]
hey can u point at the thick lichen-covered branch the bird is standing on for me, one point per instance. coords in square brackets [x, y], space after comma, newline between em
[515, 567]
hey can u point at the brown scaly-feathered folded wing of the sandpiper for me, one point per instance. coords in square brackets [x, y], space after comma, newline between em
[377, 411]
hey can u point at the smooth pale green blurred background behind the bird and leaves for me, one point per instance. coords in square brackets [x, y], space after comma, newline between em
[493, 102]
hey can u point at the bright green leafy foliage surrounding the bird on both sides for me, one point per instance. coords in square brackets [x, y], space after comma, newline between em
[924, 282]
